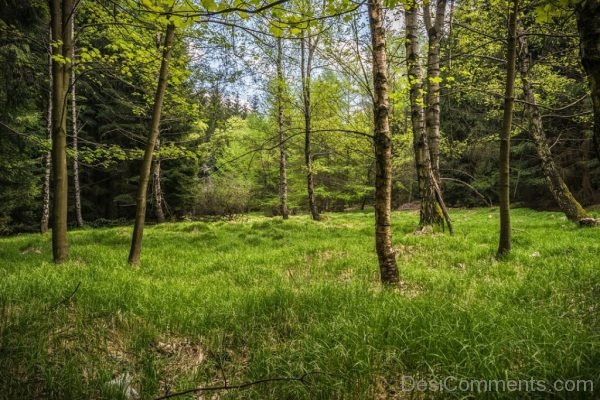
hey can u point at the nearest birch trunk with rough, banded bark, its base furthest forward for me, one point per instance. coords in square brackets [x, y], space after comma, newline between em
[383, 150]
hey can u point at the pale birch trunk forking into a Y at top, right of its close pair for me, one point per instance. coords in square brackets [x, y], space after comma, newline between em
[432, 119]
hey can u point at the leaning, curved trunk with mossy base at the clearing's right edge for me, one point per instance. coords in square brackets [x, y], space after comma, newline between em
[561, 193]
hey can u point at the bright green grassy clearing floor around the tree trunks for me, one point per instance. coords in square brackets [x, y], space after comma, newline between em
[228, 303]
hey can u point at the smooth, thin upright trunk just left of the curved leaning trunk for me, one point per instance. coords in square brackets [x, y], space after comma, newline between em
[504, 245]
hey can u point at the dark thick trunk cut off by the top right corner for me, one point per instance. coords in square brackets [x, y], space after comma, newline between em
[588, 24]
